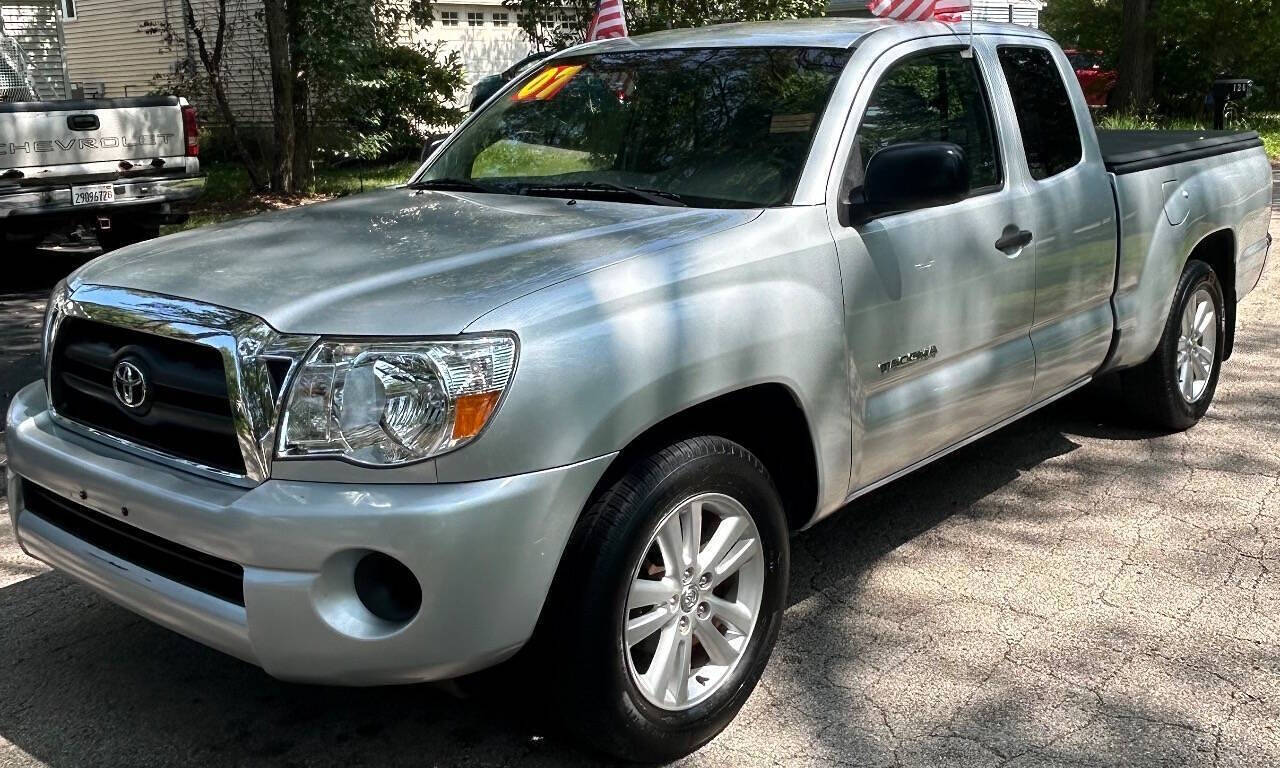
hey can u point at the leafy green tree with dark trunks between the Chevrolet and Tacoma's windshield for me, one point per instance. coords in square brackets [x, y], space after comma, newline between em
[346, 79]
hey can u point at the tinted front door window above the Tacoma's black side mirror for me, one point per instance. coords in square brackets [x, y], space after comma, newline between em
[935, 97]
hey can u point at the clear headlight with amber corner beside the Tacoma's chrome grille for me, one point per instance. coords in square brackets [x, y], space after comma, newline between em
[391, 403]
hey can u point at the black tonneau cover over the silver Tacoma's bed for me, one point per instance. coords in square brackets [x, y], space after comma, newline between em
[1131, 152]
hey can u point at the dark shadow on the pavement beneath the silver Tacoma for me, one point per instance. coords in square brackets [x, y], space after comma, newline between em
[88, 683]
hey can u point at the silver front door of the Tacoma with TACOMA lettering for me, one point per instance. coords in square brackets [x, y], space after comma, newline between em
[938, 316]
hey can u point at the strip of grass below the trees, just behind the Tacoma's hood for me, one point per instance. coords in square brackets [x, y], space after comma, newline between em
[228, 194]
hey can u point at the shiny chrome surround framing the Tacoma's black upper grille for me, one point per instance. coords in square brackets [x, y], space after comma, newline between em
[244, 341]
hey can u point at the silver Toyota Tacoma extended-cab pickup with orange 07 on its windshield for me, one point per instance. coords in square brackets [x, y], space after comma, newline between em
[563, 397]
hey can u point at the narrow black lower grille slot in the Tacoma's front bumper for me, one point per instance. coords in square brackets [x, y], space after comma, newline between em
[204, 573]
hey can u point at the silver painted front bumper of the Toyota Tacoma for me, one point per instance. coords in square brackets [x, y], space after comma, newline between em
[484, 555]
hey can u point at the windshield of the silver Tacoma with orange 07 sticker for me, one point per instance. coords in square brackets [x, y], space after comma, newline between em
[705, 127]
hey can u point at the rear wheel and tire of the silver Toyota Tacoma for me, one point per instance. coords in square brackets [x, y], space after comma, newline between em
[1158, 392]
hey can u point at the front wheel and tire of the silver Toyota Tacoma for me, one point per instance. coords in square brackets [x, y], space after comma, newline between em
[605, 696]
